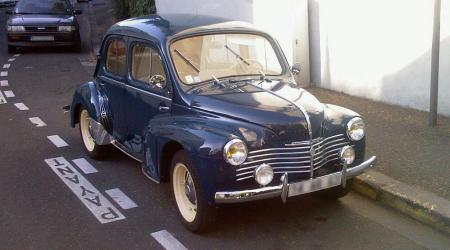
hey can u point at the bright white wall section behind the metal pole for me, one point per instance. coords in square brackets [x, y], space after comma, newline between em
[379, 49]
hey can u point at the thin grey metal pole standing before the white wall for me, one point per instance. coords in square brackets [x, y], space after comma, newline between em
[434, 82]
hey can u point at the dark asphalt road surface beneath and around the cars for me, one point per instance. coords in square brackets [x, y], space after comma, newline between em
[38, 210]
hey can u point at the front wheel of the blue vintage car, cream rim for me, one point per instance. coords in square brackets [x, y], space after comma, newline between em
[195, 212]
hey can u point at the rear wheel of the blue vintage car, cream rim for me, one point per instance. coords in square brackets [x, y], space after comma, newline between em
[94, 150]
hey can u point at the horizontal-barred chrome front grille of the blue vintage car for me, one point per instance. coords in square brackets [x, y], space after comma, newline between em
[295, 158]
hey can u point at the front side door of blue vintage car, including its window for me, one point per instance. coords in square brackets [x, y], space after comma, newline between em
[148, 91]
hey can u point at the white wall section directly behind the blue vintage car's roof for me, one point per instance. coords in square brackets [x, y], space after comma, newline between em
[286, 20]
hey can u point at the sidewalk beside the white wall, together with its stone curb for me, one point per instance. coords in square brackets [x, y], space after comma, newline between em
[413, 168]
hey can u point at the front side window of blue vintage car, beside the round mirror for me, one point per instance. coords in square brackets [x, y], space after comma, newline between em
[147, 67]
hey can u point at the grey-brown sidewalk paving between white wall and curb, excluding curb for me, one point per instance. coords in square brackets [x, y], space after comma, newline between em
[408, 150]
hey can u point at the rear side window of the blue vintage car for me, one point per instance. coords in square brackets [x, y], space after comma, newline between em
[116, 57]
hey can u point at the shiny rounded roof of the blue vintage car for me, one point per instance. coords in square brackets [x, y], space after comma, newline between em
[162, 28]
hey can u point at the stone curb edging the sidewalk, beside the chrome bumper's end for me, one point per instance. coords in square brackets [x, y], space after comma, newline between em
[419, 204]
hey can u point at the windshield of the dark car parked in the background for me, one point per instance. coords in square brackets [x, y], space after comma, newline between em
[42, 7]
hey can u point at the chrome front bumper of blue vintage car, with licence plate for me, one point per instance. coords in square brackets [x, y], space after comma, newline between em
[285, 189]
